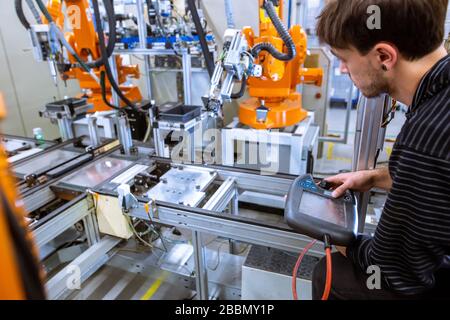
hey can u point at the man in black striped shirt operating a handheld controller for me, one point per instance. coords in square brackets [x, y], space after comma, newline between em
[402, 55]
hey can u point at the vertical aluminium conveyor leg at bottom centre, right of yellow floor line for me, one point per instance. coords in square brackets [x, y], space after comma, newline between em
[201, 279]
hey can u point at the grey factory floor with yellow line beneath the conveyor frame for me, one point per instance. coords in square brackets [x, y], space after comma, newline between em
[136, 272]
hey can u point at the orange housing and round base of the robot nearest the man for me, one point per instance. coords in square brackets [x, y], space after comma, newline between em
[276, 89]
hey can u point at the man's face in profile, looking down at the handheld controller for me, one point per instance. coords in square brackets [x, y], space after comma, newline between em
[367, 76]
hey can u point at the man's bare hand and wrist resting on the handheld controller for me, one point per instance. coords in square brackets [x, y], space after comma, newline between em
[360, 181]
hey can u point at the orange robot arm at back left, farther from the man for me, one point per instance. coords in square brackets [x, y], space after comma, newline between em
[84, 40]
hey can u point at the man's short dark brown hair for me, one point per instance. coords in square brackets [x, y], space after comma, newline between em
[415, 27]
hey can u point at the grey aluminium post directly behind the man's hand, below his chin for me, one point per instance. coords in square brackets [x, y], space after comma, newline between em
[369, 139]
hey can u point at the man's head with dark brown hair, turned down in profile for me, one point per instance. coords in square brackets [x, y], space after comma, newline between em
[371, 37]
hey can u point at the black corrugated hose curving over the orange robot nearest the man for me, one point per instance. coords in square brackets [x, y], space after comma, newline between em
[283, 33]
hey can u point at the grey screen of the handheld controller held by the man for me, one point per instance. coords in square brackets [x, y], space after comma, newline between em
[332, 211]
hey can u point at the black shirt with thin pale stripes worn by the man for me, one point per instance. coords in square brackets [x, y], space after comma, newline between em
[412, 240]
